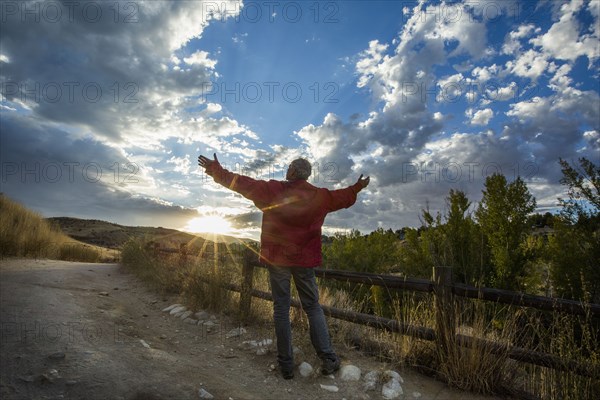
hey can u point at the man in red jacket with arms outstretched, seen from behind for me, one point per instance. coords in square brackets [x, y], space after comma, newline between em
[293, 214]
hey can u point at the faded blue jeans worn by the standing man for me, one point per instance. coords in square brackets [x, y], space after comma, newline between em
[306, 285]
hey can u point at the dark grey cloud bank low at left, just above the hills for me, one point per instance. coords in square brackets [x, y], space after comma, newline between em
[47, 170]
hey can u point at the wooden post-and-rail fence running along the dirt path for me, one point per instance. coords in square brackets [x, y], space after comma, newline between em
[445, 292]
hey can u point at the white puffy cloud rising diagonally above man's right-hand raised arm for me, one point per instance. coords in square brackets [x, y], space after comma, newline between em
[401, 83]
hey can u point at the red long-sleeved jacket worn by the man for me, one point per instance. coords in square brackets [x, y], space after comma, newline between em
[293, 213]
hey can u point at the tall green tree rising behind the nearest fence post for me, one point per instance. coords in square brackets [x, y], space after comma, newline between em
[502, 215]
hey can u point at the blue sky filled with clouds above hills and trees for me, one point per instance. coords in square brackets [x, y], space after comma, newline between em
[106, 105]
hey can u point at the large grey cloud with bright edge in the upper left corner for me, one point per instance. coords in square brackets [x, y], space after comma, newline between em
[81, 73]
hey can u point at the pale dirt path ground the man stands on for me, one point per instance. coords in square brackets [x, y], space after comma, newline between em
[94, 331]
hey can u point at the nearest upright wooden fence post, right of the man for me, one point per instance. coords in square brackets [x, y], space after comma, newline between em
[445, 331]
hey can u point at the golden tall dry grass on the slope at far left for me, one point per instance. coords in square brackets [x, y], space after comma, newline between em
[24, 233]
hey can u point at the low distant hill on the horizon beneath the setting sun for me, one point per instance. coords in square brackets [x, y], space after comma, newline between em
[110, 235]
